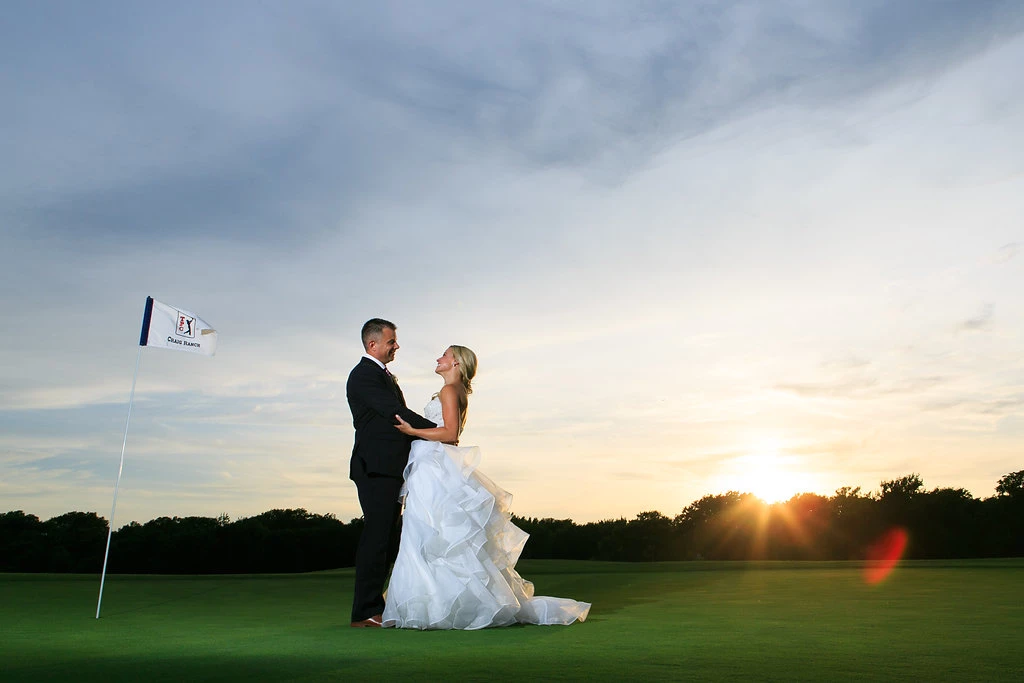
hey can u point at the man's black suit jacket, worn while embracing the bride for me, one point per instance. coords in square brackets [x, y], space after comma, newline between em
[375, 399]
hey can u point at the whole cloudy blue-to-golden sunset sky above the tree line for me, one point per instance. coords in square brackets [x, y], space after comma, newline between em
[765, 247]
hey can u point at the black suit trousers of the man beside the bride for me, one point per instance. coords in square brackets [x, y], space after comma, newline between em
[378, 543]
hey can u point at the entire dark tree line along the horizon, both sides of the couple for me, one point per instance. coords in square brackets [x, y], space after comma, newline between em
[940, 524]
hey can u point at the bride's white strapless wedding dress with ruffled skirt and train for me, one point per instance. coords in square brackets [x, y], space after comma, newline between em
[456, 566]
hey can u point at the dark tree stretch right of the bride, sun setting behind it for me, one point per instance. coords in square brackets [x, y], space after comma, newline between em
[940, 524]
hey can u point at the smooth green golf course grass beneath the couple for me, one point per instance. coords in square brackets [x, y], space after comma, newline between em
[696, 621]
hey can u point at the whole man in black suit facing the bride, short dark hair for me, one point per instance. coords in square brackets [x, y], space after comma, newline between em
[379, 457]
